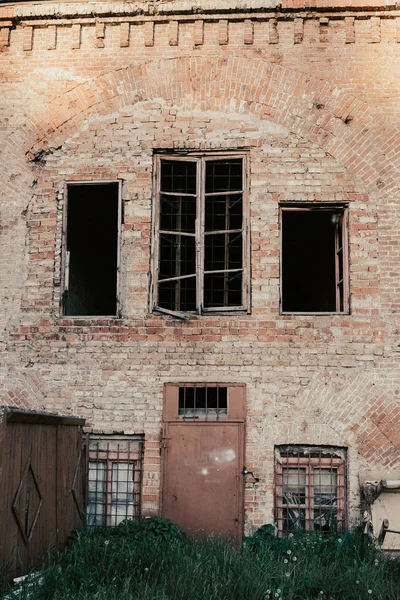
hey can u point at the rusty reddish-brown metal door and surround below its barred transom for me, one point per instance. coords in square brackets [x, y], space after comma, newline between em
[203, 467]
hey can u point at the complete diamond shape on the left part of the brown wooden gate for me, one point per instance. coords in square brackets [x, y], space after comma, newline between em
[27, 503]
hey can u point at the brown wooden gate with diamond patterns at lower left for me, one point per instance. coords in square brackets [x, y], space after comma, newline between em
[42, 482]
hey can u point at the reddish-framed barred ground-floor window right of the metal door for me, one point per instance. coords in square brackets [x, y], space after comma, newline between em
[310, 489]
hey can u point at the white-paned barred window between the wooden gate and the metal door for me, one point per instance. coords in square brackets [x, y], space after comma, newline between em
[115, 478]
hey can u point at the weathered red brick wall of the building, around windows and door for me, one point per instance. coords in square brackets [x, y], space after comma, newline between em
[87, 93]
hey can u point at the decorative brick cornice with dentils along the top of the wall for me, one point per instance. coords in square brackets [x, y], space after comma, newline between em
[361, 27]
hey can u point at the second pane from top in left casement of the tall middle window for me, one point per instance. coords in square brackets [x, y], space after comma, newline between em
[177, 213]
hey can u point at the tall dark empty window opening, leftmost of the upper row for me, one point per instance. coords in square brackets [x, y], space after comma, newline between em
[91, 257]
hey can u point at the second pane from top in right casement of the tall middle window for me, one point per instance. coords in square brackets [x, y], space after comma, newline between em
[223, 212]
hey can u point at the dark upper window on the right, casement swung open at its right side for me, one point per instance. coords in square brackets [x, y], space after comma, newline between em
[314, 259]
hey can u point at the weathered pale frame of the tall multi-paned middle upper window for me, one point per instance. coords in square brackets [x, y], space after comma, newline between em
[201, 159]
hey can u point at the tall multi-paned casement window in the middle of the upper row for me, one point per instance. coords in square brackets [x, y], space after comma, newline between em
[200, 233]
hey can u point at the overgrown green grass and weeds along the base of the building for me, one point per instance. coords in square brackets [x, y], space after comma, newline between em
[156, 561]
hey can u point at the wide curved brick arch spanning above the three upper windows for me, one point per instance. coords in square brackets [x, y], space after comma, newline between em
[309, 107]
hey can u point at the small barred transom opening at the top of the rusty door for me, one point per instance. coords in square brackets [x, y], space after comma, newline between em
[203, 402]
